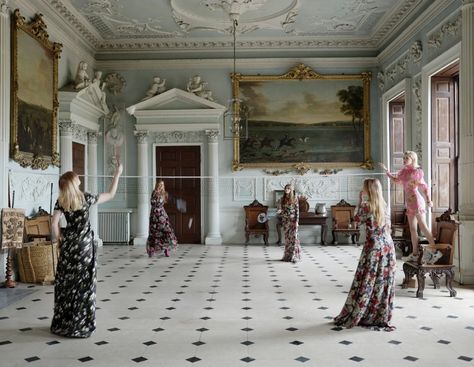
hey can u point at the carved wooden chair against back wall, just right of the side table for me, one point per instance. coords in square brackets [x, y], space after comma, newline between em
[343, 221]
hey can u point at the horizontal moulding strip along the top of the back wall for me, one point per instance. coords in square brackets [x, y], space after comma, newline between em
[332, 63]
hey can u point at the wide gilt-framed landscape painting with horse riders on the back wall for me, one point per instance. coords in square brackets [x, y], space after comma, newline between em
[302, 119]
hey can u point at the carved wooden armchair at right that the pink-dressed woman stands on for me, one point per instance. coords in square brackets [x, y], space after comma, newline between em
[446, 234]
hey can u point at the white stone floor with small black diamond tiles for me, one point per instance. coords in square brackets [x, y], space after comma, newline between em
[236, 305]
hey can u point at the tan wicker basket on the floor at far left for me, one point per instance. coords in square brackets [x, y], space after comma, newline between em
[35, 262]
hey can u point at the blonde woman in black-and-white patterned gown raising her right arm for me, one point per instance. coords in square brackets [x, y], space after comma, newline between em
[75, 283]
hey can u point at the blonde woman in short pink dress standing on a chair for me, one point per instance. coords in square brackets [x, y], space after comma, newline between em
[411, 177]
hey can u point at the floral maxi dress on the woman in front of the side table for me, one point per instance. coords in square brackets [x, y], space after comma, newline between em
[289, 217]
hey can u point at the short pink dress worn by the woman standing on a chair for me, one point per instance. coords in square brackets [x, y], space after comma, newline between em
[412, 180]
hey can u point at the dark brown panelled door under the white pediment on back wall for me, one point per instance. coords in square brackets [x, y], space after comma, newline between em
[180, 168]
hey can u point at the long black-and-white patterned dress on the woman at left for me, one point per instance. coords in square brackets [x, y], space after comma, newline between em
[76, 275]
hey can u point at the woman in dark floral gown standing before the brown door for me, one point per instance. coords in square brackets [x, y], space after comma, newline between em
[161, 236]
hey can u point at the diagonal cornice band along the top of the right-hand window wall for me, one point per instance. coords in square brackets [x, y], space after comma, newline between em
[423, 20]
